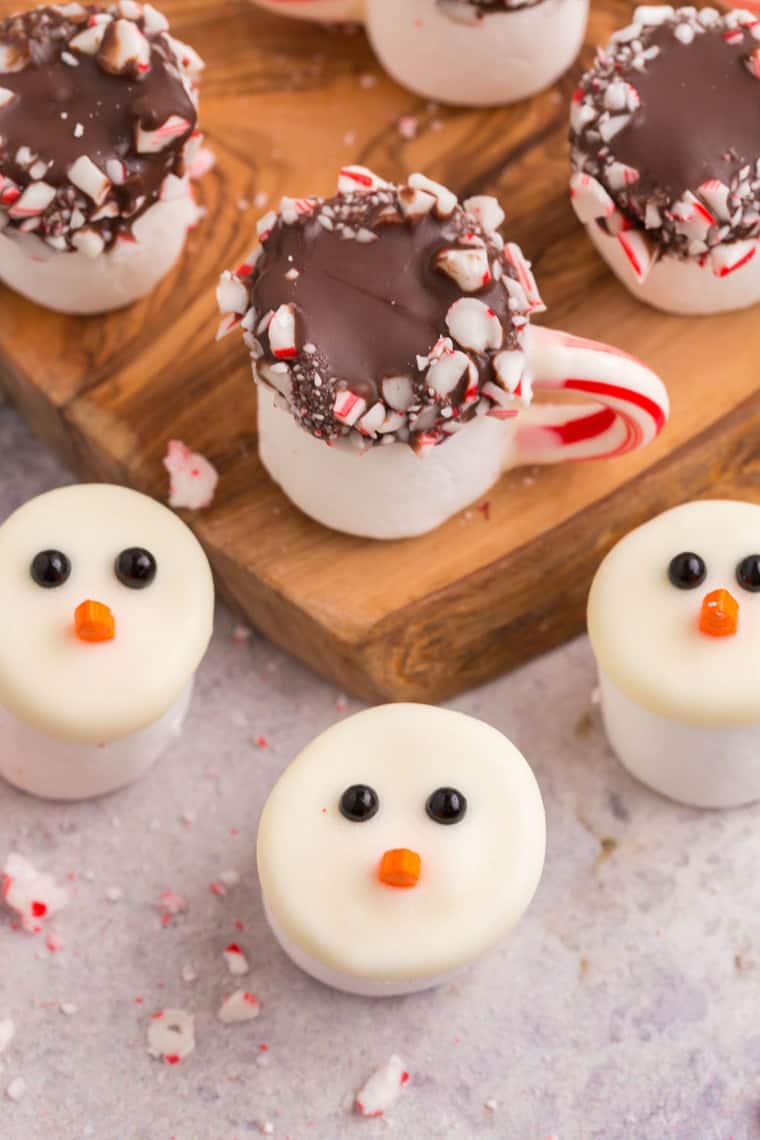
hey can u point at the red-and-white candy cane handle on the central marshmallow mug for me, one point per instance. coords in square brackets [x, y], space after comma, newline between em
[628, 409]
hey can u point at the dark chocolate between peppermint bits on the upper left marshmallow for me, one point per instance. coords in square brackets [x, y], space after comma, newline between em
[108, 108]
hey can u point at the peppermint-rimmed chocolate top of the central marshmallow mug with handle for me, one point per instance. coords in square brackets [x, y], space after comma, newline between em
[386, 313]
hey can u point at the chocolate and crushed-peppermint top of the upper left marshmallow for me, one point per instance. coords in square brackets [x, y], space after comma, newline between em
[97, 112]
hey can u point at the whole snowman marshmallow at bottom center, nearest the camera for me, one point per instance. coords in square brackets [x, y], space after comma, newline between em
[401, 846]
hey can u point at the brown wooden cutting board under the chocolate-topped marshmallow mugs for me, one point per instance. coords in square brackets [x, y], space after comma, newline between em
[284, 105]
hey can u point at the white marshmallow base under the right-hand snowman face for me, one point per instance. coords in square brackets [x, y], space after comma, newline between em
[696, 764]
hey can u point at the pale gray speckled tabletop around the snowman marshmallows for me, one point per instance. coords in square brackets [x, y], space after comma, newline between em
[624, 1008]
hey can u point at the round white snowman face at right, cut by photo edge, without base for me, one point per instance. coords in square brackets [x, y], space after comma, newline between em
[675, 614]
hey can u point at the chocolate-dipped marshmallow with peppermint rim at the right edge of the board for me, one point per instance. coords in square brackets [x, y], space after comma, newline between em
[666, 158]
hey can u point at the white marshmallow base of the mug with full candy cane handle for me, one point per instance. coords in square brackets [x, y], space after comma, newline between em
[387, 492]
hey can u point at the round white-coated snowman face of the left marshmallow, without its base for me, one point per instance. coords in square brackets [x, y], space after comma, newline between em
[107, 609]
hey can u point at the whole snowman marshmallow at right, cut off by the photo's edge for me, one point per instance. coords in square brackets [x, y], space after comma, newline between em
[675, 623]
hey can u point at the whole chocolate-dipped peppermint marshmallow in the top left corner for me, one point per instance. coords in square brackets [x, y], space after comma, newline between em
[99, 124]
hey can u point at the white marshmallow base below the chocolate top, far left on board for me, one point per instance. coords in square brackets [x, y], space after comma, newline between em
[77, 284]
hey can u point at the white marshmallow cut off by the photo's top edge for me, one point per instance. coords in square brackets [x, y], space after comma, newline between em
[477, 53]
